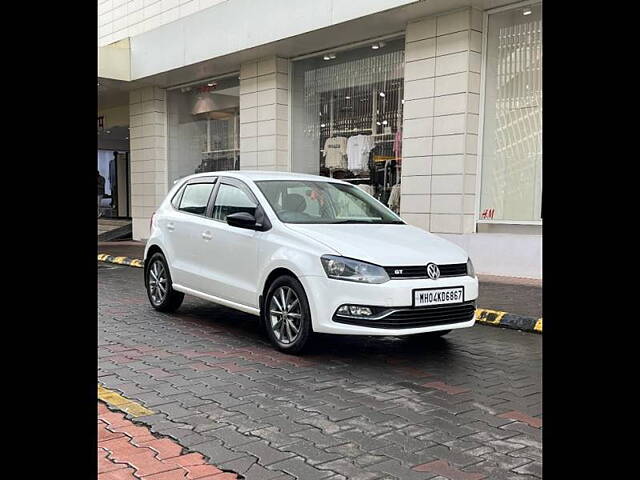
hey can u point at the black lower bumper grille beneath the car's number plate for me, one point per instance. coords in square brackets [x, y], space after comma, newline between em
[417, 317]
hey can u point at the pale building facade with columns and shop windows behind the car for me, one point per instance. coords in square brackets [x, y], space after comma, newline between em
[433, 107]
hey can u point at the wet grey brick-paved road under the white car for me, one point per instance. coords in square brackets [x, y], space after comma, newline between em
[466, 407]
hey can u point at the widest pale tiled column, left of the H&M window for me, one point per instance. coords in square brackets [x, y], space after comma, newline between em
[440, 125]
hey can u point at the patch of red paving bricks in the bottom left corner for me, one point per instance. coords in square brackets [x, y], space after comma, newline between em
[130, 452]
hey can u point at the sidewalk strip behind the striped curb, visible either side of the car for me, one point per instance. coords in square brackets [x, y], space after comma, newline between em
[518, 296]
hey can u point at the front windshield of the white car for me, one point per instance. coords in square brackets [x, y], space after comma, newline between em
[302, 201]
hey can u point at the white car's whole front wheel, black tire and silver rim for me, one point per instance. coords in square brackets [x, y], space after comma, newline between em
[286, 315]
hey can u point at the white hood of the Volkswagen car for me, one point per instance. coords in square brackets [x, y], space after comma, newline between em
[385, 245]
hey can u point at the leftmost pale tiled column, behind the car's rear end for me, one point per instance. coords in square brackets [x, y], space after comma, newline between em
[148, 155]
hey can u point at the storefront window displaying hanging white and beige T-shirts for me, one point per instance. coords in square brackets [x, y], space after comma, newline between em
[347, 117]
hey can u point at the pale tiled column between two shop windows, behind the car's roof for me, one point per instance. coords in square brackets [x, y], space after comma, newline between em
[264, 113]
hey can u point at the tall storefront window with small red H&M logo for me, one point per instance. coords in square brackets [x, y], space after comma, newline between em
[512, 143]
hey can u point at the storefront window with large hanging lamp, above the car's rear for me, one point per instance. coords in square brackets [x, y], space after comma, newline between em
[203, 128]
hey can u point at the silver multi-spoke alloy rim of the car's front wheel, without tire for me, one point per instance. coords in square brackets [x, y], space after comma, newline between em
[285, 313]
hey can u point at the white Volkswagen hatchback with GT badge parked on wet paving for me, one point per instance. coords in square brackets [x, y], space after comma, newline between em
[306, 254]
